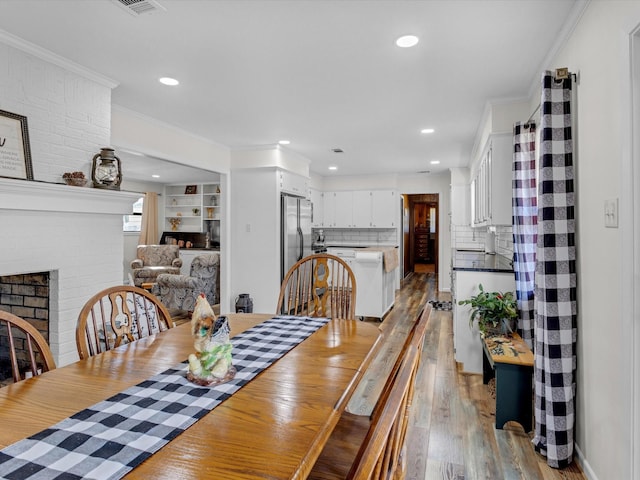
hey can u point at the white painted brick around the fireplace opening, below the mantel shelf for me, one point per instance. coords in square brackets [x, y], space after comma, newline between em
[80, 248]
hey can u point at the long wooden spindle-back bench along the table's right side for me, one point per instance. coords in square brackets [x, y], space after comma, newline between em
[362, 447]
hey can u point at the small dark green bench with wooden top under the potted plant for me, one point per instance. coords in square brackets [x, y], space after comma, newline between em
[510, 360]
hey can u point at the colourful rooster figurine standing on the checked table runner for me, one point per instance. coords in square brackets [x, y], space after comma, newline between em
[211, 364]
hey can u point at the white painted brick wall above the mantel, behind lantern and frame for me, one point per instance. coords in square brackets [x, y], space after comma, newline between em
[68, 116]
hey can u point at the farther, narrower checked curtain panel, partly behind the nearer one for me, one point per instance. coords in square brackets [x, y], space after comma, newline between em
[525, 224]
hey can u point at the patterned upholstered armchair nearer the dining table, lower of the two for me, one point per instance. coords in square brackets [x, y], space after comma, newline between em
[179, 292]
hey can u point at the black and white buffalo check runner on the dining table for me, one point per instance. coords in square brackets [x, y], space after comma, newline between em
[112, 437]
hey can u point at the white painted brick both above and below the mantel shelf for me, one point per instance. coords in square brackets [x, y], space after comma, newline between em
[69, 119]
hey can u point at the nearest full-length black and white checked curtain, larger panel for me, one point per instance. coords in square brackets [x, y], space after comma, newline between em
[555, 279]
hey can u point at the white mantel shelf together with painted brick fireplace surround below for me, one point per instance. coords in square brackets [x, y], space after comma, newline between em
[75, 233]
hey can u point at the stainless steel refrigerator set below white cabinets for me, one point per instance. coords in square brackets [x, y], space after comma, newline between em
[295, 231]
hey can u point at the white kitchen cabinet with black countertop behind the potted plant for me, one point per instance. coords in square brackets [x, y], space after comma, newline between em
[468, 270]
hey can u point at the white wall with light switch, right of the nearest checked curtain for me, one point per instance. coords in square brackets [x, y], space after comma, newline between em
[596, 51]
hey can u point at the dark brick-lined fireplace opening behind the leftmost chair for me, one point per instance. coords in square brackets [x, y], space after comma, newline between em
[27, 296]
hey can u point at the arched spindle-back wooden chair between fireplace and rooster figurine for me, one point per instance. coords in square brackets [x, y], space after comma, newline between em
[118, 315]
